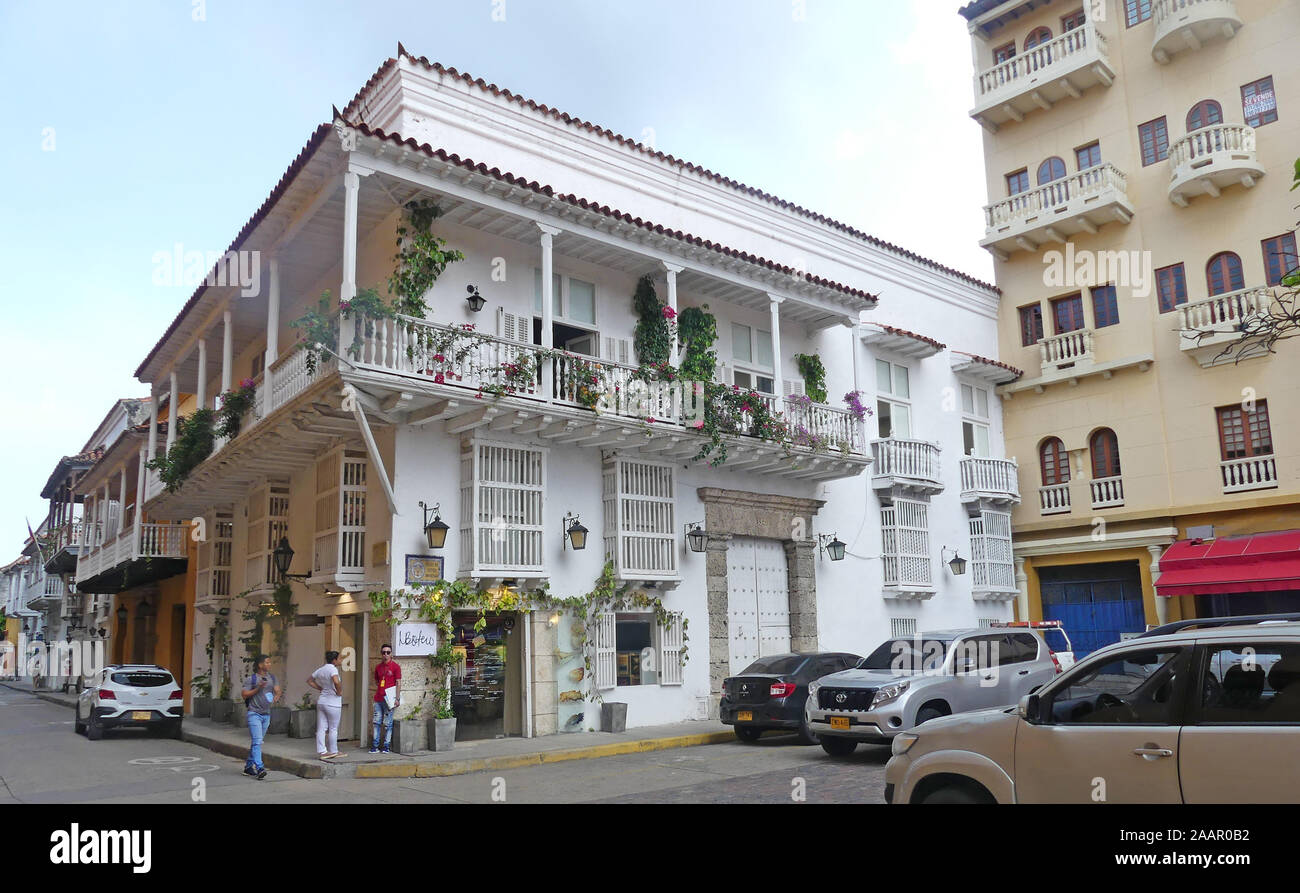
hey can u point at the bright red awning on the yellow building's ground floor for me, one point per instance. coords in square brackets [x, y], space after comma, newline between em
[1260, 563]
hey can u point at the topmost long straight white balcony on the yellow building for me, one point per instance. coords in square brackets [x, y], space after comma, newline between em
[1041, 77]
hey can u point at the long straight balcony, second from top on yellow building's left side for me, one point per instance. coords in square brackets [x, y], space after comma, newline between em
[1084, 202]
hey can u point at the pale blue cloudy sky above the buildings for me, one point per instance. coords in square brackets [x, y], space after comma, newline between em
[137, 125]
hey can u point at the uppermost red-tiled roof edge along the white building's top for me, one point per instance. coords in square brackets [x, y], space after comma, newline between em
[350, 112]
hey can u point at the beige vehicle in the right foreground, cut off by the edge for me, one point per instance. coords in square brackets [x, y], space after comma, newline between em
[1207, 716]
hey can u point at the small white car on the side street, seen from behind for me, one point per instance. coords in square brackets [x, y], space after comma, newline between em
[120, 696]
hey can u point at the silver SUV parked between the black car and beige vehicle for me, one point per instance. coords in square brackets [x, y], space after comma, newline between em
[911, 682]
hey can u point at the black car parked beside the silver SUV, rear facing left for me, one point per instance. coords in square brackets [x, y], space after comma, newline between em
[770, 693]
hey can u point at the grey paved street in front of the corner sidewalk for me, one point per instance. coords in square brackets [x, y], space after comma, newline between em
[57, 766]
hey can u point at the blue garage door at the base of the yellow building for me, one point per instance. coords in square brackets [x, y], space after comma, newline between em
[1095, 602]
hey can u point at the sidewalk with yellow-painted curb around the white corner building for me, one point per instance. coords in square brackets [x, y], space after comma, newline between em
[298, 756]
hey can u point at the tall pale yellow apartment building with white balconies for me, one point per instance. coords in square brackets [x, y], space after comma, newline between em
[1139, 157]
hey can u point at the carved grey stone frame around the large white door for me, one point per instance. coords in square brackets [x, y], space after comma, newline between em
[742, 514]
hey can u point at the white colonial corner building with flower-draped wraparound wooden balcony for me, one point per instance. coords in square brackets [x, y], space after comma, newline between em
[558, 222]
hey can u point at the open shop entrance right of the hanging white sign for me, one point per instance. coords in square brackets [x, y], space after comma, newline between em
[487, 682]
